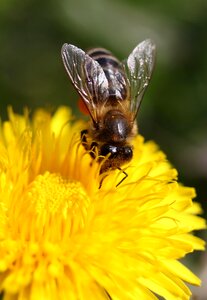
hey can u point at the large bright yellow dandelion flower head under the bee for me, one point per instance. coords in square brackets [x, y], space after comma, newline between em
[61, 237]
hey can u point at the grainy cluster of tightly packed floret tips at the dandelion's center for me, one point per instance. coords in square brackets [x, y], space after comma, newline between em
[53, 194]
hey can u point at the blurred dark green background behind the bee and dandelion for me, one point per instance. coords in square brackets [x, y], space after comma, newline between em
[174, 110]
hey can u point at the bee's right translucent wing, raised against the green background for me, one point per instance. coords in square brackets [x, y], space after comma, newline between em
[138, 68]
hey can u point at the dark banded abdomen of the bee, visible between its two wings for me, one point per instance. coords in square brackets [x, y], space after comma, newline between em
[118, 88]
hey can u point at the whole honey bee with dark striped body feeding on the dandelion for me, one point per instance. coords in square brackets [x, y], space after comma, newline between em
[112, 92]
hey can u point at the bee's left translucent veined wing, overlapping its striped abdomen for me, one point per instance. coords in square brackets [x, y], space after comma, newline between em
[88, 78]
